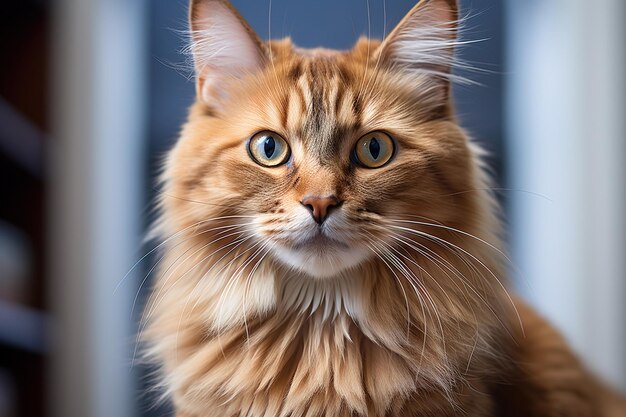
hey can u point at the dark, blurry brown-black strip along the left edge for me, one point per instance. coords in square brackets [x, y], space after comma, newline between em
[24, 29]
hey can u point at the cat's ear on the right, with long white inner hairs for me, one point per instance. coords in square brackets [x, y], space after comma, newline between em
[424, 40]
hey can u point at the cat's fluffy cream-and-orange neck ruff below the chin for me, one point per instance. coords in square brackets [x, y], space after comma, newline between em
[336, 339]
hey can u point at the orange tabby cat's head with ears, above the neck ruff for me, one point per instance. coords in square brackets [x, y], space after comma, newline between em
[323, 159]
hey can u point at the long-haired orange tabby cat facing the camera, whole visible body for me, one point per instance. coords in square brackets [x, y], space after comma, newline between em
[330, 243]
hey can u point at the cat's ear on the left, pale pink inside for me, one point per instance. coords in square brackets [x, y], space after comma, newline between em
[224, 47]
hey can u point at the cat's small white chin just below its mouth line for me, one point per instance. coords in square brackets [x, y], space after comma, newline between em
[321, 261]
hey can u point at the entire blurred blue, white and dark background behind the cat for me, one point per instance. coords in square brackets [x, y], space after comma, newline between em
[93, 92]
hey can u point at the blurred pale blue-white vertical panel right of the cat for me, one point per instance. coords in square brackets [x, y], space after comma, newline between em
[567, 141]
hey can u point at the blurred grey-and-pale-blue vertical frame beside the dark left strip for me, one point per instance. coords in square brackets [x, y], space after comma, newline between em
[95, 196]
